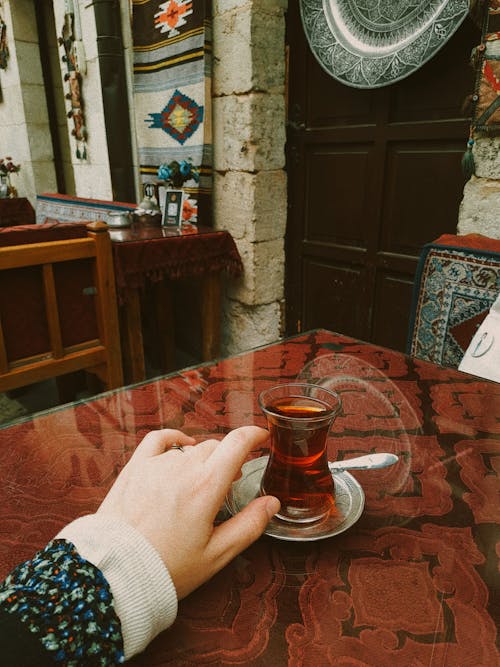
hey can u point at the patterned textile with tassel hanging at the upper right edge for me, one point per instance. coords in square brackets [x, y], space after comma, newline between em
[485, 111]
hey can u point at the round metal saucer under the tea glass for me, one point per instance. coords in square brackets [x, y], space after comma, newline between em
[349, 504]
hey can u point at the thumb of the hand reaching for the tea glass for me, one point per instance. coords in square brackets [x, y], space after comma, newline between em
[236, 534]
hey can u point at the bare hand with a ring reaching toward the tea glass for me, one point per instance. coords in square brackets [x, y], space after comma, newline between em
[172, 498]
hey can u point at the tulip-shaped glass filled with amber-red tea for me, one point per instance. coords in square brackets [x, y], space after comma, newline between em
[299, 417]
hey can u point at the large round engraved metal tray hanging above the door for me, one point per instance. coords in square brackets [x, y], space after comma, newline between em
[373, 43]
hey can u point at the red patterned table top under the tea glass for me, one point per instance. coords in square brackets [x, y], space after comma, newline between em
[412, 582]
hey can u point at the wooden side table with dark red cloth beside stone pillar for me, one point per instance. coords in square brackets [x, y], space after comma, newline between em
[155, 258]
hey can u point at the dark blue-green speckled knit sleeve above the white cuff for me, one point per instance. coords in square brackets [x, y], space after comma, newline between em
[65, 602]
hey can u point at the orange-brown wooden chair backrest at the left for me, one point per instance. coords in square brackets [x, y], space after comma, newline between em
[58, 310]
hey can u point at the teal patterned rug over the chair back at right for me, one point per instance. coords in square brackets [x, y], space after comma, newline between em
[457, 281]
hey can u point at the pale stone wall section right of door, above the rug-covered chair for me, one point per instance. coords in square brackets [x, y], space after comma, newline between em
[480, 207]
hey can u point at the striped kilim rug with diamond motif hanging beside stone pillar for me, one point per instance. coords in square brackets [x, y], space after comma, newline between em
[172, 83]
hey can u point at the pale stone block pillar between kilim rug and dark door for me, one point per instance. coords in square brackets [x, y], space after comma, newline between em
[249, 160]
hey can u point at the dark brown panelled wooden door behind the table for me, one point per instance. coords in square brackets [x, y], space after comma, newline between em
[373, 176]
